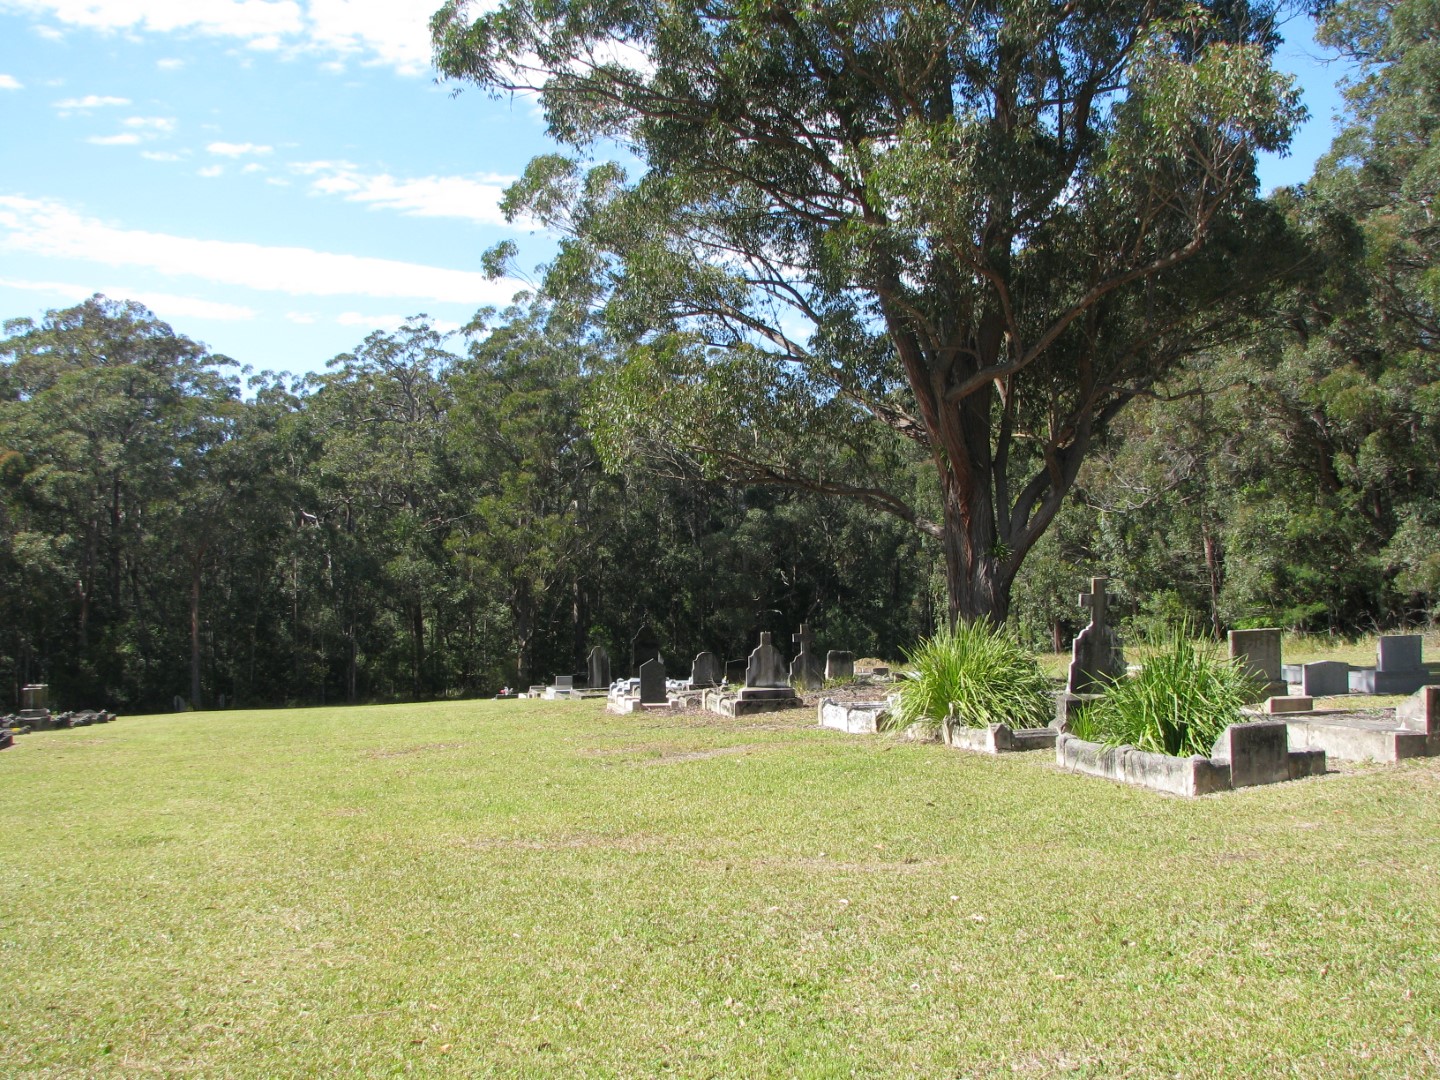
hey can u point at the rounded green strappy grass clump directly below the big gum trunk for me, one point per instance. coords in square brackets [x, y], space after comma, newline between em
[976, 676]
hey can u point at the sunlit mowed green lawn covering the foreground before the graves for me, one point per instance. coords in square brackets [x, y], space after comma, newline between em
[541, 889]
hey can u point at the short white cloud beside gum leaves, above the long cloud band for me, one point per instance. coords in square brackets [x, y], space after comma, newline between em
[469, 198]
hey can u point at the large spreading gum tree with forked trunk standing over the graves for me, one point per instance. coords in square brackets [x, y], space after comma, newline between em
[983, 227]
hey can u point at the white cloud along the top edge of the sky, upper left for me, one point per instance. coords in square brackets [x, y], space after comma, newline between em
[385, 32]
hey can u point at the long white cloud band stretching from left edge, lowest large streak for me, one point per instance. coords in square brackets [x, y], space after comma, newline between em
[53, 230]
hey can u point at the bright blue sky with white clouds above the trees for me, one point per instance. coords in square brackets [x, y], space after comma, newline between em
[280, 178]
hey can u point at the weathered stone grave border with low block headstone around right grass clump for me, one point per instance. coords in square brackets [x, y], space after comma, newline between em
[1245, 757]
